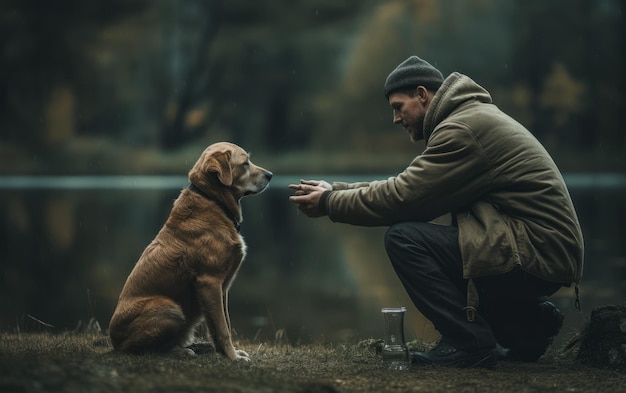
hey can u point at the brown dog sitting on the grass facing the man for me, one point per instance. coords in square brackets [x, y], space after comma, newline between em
[183, 276]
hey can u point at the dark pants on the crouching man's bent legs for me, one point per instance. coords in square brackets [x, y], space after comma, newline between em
[428, 262]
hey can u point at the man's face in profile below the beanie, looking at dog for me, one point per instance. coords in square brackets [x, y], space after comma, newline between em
[409, 112]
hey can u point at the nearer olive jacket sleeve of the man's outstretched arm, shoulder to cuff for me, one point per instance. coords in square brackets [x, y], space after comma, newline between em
[450, 173]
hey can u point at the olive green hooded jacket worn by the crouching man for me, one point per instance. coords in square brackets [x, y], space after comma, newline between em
[509, 199]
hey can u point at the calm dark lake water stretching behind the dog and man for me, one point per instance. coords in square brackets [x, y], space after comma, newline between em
[68, 243]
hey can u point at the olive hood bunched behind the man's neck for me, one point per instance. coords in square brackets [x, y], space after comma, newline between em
[456, 90]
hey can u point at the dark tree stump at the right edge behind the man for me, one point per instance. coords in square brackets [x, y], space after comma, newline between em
[603, 341]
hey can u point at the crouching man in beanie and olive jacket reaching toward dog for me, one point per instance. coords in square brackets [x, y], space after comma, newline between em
[514, 237]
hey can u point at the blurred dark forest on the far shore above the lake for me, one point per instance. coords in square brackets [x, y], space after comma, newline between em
[110, 87]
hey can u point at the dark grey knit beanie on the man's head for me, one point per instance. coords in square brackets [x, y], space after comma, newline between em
[413, 72]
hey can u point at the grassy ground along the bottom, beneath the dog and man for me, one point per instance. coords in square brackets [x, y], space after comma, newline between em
[86, 363]
